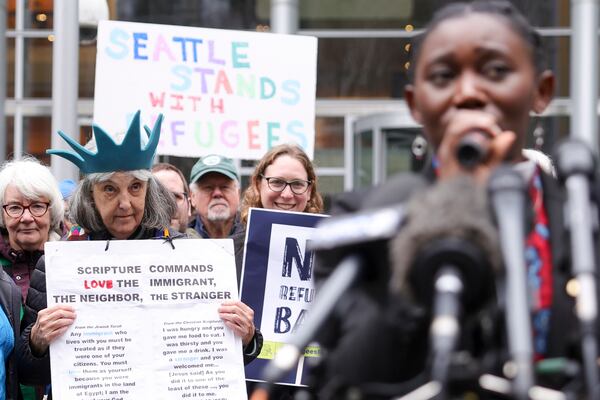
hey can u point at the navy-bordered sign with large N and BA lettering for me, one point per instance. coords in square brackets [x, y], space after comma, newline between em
[277, 282]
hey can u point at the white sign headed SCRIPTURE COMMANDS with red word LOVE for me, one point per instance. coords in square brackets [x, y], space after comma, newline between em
[147, 325]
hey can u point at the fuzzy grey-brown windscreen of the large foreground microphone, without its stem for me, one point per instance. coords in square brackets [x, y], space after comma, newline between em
[455, 209]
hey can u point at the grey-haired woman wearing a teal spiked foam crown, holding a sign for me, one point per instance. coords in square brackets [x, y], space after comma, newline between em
[118, 199]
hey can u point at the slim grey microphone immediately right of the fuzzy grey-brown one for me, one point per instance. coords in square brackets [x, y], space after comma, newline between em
[507, 194]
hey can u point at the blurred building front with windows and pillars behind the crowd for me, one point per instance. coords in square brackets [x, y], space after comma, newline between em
[363, 129]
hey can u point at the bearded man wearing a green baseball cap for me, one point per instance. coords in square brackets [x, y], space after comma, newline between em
[214, 181]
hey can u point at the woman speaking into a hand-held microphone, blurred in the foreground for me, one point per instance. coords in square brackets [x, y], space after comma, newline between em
[478, 75]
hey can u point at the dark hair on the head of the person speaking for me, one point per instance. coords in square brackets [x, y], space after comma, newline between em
[506, 10]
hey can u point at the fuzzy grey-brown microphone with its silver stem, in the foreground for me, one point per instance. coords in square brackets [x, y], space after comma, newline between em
[444, 258]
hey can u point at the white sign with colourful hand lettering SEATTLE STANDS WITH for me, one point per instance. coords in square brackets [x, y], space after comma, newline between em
[221, 91]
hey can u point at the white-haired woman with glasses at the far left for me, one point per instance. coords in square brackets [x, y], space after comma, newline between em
[32, 209]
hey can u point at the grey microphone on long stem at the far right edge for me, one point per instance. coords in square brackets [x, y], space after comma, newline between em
[576, 167]
